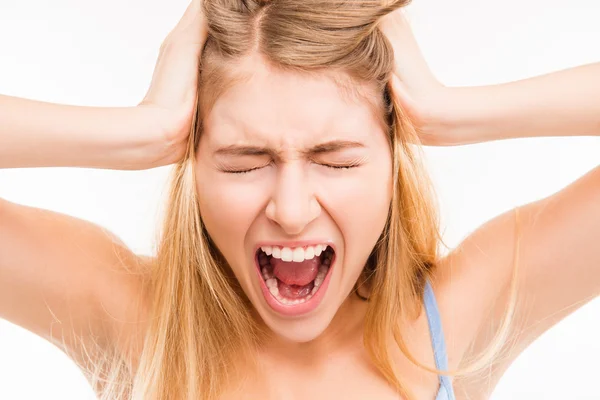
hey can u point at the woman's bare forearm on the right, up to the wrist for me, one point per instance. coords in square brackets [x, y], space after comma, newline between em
[563, 103]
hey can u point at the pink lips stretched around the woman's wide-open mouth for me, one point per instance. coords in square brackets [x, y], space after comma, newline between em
[295, 310]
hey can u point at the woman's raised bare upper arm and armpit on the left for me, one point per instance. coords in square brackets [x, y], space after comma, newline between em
[69, 281]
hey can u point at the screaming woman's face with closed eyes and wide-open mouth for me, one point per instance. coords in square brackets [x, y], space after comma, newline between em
[287, 165]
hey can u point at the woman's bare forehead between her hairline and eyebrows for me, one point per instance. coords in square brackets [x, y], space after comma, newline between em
[285, 108]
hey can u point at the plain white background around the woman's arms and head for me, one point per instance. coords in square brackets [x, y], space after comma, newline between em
[102, 53]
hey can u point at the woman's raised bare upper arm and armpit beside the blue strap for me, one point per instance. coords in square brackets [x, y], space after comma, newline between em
[537, 264]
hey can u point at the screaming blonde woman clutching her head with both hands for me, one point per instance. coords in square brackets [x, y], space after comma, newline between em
[299, 222]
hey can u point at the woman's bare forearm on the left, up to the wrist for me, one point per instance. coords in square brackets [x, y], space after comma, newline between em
[39, 134]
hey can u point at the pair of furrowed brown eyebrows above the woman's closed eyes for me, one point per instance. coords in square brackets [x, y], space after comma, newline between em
[322, 148]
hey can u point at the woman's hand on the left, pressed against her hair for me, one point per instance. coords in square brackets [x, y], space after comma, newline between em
[170, 102]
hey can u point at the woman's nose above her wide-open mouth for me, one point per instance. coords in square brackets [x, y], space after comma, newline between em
[293, 204]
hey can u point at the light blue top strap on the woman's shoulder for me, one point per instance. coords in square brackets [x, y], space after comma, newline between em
[446, 392]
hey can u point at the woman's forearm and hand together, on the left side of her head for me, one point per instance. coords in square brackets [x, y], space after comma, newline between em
[151, 134]
